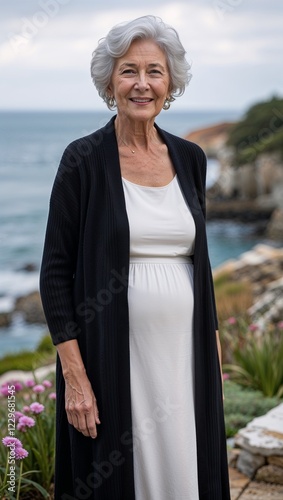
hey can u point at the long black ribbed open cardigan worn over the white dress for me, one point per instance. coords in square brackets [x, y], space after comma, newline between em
[83, 284]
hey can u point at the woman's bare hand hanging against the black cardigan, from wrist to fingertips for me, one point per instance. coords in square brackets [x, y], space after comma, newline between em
[80, 404]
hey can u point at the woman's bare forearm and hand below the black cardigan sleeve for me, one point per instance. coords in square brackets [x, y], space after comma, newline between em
[80, 402]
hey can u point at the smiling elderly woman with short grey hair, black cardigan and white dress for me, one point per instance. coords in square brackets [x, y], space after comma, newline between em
[127, 291]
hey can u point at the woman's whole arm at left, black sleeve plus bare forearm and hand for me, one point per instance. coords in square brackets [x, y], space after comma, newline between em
[58, 267]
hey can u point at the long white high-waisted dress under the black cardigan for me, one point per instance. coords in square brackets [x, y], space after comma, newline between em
[160, 297]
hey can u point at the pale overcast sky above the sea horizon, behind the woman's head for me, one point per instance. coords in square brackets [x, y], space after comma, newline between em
[235, 47]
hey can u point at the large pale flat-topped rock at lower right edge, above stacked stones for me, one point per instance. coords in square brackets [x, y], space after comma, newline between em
[263, 435]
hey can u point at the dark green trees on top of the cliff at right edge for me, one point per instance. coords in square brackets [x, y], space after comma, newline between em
[260, 131]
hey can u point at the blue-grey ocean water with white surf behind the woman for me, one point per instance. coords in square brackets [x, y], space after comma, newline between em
[31, 145]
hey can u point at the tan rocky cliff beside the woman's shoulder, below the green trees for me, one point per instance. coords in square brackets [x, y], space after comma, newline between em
[247, 193]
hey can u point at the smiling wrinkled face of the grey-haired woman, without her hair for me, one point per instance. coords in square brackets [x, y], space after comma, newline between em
[140, 81]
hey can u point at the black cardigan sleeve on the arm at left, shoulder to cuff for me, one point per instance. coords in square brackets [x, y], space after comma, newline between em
[60, 252]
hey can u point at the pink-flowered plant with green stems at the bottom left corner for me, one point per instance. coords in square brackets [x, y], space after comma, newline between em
[28, 442]
